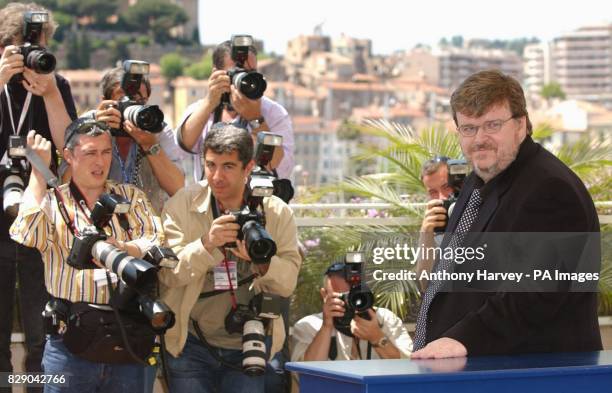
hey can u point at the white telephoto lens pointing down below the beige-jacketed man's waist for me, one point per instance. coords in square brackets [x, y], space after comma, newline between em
[253, 348]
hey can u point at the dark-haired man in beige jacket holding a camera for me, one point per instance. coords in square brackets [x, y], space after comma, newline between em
[199, 230]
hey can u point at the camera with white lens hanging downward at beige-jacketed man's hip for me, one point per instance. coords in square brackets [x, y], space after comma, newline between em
[251, 320]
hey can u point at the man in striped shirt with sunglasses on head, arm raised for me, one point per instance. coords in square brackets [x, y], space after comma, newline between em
[47, 221]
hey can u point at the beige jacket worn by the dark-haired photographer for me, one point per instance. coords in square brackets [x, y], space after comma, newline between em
[186, 217]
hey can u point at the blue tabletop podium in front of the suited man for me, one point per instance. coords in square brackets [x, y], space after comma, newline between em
[578, 372]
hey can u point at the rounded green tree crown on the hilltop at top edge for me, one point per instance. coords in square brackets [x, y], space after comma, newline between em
[156, 17]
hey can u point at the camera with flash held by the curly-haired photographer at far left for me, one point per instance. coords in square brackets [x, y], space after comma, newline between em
[34, 55]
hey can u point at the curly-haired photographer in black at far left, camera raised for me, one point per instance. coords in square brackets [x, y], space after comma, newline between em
[27, 96]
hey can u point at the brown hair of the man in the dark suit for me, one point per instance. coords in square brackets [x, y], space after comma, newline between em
[484, 89]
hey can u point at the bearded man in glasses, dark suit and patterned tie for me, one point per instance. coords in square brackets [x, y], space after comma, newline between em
[516, 186]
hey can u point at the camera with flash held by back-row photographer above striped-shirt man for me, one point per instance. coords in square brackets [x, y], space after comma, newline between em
[146, 117]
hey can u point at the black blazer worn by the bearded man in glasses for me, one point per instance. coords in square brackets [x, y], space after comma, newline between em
[536, 193]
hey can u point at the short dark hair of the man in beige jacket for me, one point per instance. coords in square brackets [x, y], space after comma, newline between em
[225, 138]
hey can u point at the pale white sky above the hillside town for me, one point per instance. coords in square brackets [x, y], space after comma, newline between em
[395, 25]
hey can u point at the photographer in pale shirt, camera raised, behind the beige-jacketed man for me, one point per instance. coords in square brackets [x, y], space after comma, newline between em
[262, 114]
